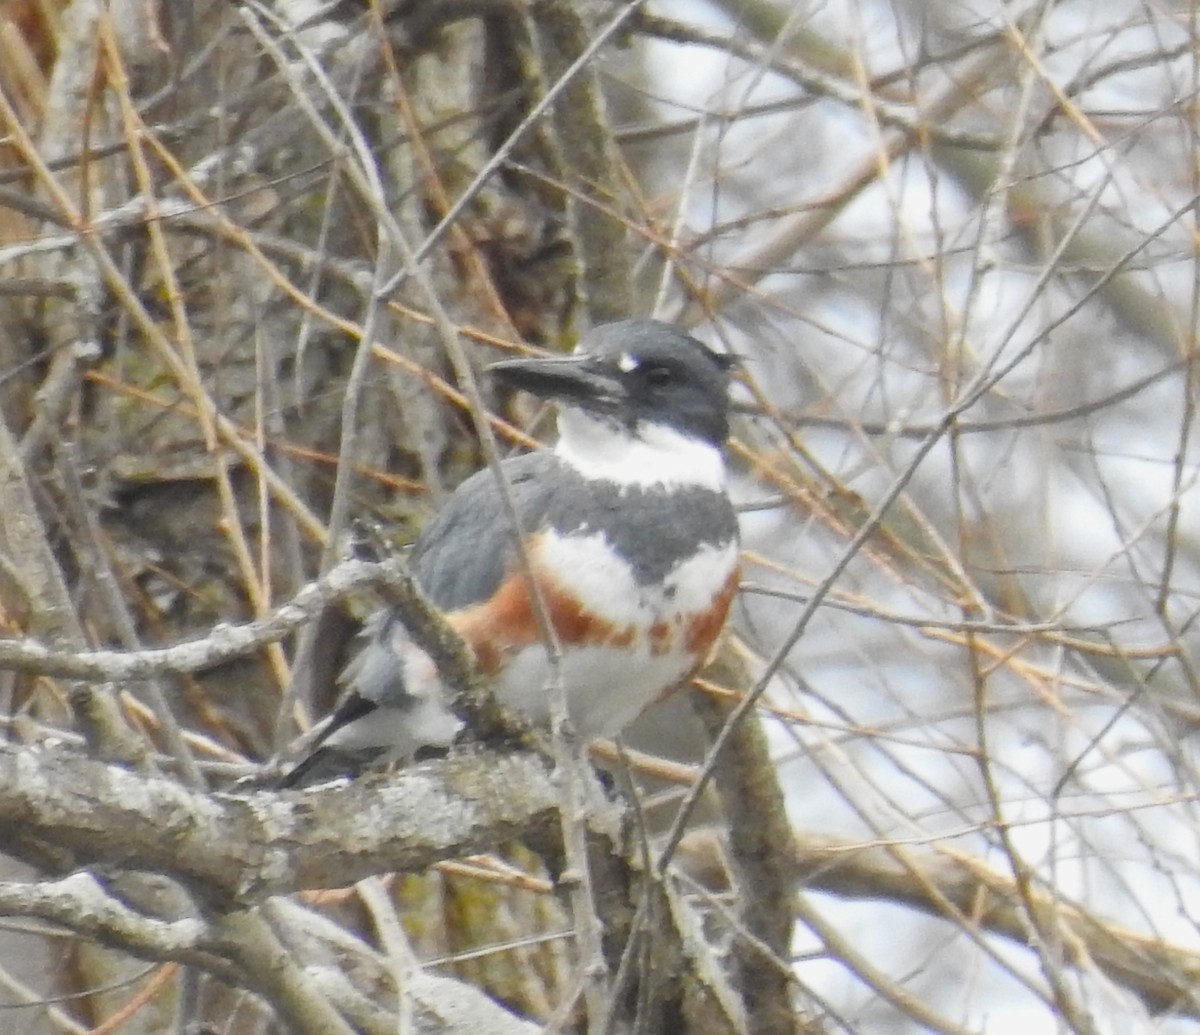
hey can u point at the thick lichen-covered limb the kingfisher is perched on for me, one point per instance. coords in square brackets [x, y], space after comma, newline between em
[241, 849]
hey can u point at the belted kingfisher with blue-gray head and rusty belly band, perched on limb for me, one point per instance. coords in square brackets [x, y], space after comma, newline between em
[631, 537]
